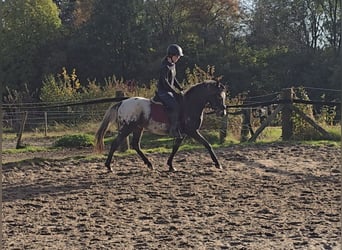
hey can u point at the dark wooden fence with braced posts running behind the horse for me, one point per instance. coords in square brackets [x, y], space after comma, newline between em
[284, 105]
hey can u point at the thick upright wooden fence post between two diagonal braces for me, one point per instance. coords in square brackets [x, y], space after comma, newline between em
[286, 121]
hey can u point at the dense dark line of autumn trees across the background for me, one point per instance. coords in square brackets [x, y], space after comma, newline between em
[258, 46]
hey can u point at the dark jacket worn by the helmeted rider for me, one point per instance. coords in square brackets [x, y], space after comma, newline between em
[167, 79]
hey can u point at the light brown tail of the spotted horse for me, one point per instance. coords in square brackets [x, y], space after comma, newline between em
[109, 118]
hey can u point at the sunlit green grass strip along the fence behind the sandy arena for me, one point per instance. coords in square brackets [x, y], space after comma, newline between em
[153, 143]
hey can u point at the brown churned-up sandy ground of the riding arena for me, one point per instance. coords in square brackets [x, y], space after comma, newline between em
[275, 196]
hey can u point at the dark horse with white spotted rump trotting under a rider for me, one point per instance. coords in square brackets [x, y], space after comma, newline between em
[136, 114]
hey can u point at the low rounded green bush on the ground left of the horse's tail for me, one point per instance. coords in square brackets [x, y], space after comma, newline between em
[75, 141]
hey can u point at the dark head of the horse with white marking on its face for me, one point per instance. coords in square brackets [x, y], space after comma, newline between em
[217, 97]
